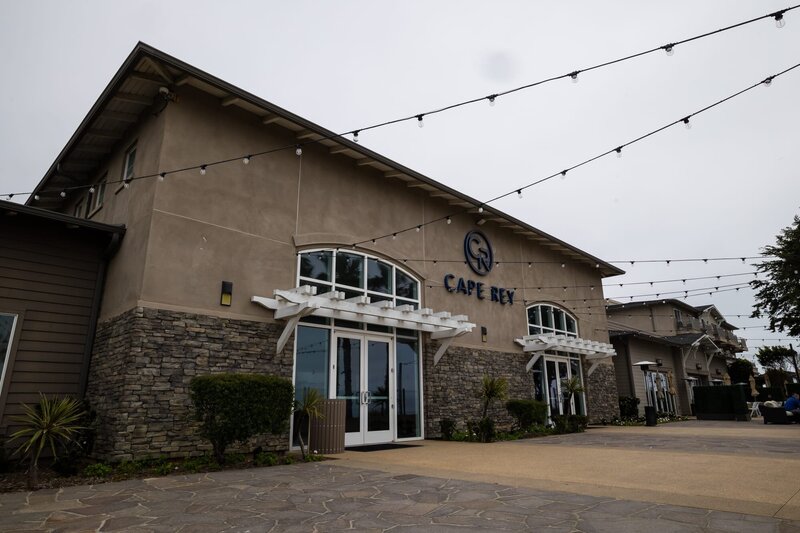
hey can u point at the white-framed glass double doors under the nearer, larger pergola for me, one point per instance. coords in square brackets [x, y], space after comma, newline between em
[362, 368]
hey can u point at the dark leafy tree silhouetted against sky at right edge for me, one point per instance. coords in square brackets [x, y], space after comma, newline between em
[778, 296]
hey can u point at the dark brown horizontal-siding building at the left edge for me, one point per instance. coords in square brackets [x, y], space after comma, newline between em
[51, 277]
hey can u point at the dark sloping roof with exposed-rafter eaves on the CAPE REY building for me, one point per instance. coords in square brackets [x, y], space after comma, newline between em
[135, 88]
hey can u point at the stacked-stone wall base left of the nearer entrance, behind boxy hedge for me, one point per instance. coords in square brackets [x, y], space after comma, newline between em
[141, 367]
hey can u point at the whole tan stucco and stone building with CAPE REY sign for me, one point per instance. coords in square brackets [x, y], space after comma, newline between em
[401, 327]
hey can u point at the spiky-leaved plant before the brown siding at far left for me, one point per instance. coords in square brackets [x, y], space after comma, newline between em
[50, 424]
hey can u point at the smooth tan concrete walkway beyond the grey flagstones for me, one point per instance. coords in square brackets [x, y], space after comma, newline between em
[726, 466]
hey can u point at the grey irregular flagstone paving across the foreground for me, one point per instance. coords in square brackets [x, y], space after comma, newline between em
[320, 497]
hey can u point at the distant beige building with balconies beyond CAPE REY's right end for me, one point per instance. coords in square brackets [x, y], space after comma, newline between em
[691, 345]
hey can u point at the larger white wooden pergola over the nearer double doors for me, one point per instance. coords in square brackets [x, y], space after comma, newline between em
[294, 304]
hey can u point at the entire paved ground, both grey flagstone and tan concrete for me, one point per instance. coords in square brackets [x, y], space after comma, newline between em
[572, 483]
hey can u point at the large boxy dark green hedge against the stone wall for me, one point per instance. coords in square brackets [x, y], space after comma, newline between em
[234, 407]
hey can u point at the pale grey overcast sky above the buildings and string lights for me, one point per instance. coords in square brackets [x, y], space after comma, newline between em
[724, 188]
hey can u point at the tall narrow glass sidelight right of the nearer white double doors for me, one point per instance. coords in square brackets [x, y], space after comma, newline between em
[408, 407]
